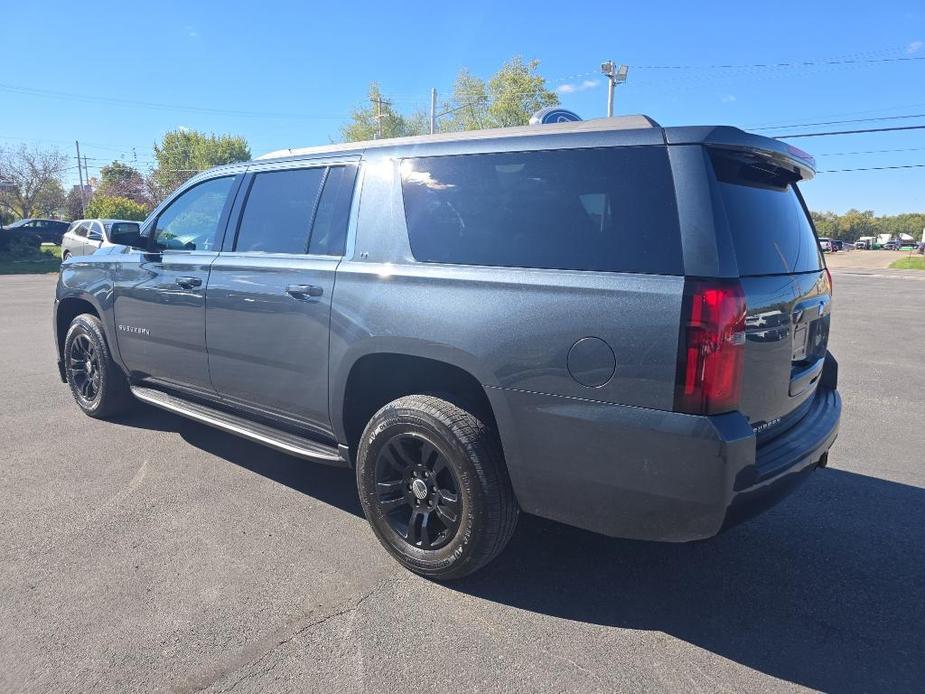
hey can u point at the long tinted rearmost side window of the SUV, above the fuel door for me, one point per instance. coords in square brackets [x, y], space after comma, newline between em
[608, 209]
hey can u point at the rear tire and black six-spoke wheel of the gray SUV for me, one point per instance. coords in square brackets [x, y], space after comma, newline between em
[434, 487]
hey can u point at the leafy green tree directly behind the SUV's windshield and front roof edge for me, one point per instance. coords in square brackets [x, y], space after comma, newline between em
[182, 153]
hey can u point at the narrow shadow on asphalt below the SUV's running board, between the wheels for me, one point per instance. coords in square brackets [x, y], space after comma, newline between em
[332, 485]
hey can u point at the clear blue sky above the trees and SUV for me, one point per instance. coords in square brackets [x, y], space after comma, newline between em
[287, 73]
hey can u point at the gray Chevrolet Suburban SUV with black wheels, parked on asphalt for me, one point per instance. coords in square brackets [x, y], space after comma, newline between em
[615, 325]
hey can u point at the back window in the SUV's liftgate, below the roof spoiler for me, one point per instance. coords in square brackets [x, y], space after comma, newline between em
[770, 230]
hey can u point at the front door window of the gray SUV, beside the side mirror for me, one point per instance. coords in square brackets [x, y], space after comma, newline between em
[191, 221]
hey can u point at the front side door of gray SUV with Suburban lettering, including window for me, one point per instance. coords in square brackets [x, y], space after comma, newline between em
[160, 301]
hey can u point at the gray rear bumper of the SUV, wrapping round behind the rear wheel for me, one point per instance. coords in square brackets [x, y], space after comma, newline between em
[652, 475]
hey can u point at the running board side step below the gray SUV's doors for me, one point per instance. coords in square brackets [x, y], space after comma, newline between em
[284, 441]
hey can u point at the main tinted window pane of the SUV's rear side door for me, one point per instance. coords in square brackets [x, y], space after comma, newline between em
[278, 213]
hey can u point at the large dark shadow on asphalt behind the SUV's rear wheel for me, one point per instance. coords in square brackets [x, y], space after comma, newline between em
[827, 590]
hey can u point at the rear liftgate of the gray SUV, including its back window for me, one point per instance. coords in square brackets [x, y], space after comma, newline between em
[787, 288]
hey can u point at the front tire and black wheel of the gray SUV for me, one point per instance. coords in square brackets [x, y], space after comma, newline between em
[97, 383]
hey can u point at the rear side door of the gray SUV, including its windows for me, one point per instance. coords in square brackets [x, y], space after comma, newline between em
[269, 295]
